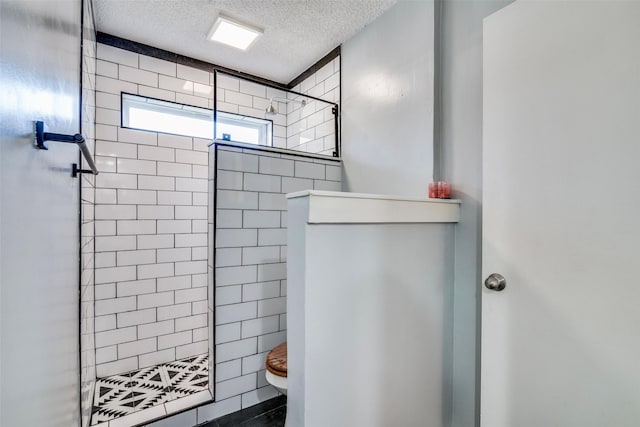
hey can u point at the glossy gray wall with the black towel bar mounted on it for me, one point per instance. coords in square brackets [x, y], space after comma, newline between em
[40, 48]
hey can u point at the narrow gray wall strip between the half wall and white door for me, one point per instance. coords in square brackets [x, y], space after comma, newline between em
[460, 130]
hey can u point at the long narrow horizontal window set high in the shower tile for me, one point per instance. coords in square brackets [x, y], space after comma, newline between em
[155, 115]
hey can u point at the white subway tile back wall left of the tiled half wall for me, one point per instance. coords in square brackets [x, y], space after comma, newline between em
[150, 219]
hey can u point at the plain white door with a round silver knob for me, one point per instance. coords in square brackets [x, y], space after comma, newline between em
[561, 343]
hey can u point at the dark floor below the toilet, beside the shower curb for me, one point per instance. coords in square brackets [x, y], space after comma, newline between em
[266, 414]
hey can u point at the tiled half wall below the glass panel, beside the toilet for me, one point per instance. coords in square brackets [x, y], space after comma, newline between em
[250, 264]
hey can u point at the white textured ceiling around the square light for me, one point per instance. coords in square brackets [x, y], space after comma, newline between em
[297, 33]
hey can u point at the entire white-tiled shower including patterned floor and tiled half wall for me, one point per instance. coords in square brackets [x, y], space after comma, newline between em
[152, 309]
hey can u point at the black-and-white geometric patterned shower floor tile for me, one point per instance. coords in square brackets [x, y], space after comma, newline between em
[120, 395]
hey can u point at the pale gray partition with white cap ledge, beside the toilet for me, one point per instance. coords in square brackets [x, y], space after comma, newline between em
[366, 305]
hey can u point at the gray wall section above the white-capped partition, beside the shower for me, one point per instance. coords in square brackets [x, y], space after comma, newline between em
[387, 103]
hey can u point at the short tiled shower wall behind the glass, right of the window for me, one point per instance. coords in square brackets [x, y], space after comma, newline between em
[311, 128]
